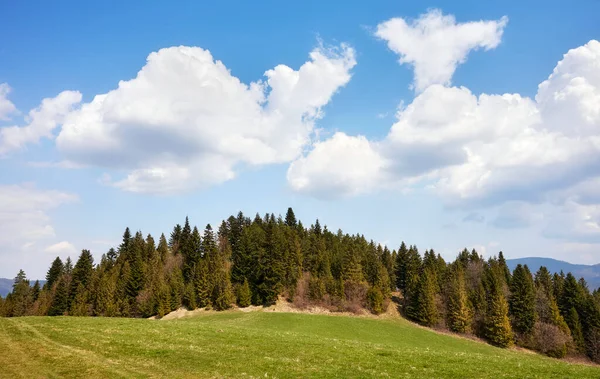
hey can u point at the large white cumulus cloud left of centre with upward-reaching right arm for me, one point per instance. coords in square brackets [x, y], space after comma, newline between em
[185, 121]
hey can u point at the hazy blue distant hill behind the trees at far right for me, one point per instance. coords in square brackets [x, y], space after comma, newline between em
[591, 273]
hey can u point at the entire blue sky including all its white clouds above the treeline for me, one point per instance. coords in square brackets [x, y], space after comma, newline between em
[340, 135]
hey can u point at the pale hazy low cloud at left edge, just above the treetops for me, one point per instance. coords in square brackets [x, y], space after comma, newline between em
[25, 224]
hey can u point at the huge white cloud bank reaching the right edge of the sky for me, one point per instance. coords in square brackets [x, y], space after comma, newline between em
[481, 150]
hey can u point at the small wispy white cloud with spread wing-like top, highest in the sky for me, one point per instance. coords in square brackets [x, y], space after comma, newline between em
[435, 44]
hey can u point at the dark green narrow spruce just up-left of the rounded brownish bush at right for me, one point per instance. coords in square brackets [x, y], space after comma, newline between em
[522, 300]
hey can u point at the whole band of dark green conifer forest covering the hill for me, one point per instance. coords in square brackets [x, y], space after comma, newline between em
[259, 261]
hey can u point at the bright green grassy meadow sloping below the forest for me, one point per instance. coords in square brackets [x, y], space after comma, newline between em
[257, 344]
